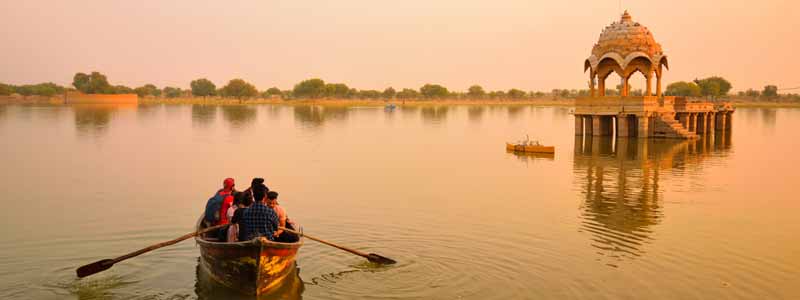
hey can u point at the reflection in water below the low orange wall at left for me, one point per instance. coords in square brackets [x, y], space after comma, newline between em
[93, 119]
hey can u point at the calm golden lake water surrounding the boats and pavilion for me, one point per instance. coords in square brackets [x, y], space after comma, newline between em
[431, 187]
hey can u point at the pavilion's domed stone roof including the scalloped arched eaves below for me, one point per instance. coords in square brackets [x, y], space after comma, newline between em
[624, 41]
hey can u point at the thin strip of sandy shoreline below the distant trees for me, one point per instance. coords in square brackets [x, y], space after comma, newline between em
[558, 102]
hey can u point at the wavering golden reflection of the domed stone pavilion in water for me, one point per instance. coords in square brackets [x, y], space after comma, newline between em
[619, 181]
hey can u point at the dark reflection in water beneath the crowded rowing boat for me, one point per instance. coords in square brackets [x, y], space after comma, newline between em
[207, 288]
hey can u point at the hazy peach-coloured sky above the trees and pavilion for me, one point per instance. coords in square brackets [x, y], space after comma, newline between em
[372, 44]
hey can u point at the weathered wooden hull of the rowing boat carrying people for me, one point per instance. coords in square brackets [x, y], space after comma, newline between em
[253, 267]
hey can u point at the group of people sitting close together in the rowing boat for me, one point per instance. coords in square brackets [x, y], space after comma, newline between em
[252, 213]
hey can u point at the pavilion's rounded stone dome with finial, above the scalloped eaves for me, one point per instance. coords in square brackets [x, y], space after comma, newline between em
[625, 37]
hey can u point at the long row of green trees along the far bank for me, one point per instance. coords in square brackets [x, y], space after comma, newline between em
[96, 83]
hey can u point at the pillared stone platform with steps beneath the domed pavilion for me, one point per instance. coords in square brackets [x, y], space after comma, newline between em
[651, 117]
